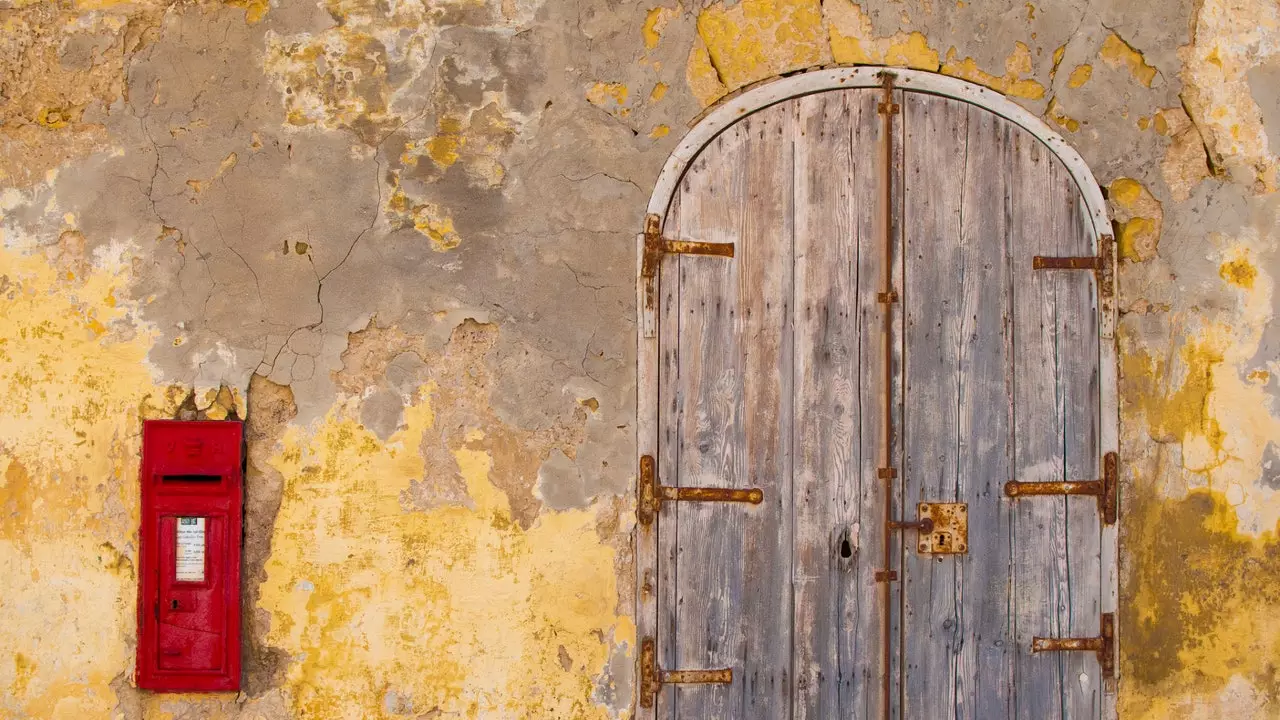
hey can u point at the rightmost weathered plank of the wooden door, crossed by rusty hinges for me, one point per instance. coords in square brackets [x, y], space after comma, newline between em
[1057, 540]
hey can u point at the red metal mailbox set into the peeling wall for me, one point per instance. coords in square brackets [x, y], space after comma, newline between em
[190, 548]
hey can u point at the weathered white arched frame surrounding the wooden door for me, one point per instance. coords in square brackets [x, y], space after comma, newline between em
[766, 94]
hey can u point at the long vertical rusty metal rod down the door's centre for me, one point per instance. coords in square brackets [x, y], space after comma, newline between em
[888, 298]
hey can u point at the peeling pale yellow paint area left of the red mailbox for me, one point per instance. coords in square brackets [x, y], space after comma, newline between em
[75, 375]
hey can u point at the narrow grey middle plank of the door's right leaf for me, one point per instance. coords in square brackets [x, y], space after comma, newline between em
[984, 676]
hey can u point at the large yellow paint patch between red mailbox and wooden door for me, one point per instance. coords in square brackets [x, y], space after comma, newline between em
[458, 610]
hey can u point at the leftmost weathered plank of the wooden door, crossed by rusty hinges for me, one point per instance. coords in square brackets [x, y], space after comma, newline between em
[708, 631]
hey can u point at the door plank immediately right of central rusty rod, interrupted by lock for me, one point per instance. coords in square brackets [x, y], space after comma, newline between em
[934, 129]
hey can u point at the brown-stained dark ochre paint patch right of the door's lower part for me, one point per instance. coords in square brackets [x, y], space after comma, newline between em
[1200, 616]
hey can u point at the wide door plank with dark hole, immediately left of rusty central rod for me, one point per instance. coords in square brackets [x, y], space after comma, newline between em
[838, 371]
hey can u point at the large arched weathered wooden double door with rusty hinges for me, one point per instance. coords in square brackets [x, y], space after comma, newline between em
[796, 555]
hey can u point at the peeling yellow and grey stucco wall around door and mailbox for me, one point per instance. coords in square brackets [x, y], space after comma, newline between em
[396, 238]
